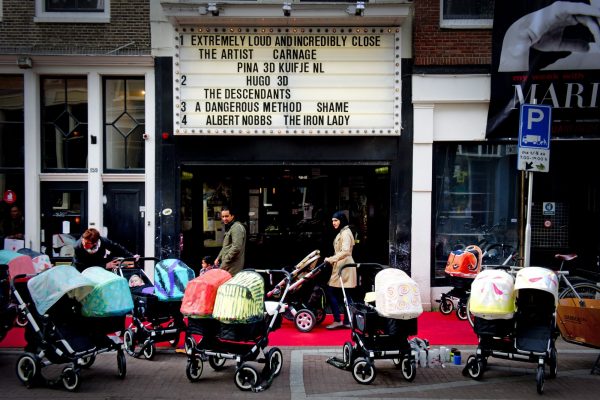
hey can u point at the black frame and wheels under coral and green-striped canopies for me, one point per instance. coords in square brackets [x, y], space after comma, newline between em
[217, 350]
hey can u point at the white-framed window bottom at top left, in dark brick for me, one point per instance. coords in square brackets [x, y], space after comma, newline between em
[75, 11]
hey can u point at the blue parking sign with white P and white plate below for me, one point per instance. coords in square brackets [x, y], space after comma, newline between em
[534, 138]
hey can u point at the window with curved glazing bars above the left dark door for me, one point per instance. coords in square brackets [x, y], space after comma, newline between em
[64, 124]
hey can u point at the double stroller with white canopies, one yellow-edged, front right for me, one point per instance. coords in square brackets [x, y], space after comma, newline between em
[515, 322]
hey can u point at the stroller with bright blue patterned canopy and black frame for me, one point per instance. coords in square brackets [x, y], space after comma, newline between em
[156, 316]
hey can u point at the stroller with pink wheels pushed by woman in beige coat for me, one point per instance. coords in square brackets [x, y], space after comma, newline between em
[306, 297]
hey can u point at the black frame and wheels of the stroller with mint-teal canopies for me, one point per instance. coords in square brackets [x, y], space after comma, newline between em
[58, 351]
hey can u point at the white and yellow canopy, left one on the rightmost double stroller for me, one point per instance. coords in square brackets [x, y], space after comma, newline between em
[493, 295]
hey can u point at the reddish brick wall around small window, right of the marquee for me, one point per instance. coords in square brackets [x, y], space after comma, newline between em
[435, 46]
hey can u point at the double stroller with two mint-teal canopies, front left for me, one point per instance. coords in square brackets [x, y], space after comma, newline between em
[72, 317]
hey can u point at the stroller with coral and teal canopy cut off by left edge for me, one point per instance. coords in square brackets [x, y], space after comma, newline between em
[11, 264]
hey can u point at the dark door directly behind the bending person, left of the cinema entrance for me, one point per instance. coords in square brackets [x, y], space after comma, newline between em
[124, 215]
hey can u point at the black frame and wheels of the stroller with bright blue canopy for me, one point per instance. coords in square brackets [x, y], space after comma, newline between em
[148, 329]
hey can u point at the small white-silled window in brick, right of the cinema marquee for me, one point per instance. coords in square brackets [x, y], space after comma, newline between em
[462, 14]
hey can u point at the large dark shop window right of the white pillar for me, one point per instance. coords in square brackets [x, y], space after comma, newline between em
[475, 200]
